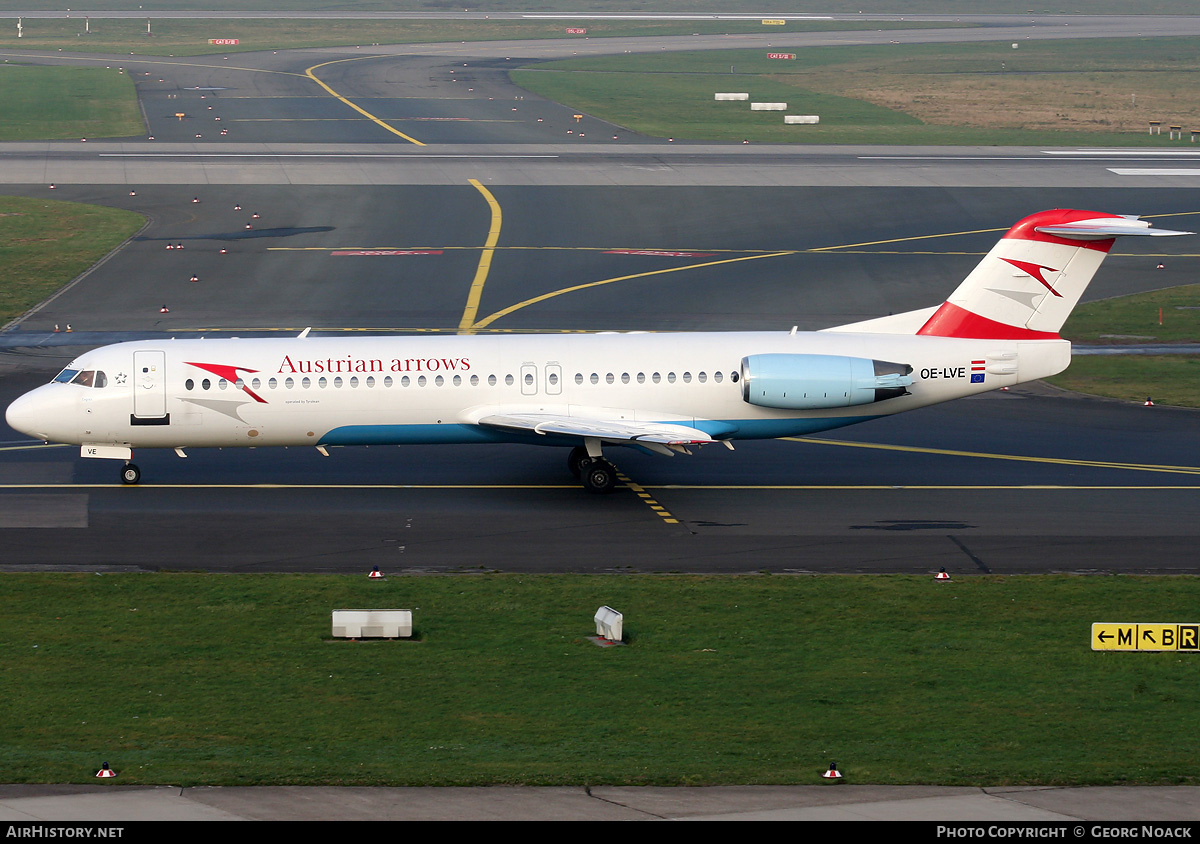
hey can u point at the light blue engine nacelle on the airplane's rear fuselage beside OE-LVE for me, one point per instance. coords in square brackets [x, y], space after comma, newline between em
[818, 381]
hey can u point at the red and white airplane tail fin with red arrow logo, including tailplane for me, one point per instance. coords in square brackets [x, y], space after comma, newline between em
[1029, 284]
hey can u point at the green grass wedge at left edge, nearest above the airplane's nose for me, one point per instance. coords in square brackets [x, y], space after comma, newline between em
[45, 244]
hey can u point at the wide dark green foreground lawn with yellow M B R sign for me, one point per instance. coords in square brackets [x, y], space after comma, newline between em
[194, 679]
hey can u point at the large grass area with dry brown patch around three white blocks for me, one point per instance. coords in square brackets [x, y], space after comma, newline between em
[1052, 93]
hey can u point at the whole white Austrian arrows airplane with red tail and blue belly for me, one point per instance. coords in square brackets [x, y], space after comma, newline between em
[662, 393]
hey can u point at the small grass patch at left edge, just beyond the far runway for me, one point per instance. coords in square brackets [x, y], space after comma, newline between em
[53, 104]
